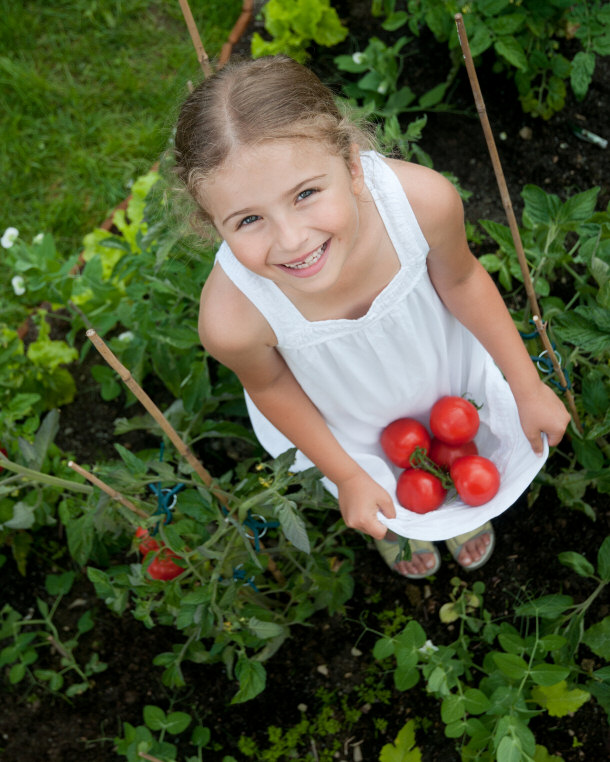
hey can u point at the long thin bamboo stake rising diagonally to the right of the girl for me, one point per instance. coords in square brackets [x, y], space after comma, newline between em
[512, 221]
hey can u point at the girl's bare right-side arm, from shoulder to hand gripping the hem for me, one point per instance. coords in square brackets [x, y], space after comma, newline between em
[470, 294]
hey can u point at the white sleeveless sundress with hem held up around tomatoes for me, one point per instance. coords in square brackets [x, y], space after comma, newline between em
[395, 361]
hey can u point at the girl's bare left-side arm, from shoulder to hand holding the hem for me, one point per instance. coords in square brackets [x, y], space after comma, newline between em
[243, 341]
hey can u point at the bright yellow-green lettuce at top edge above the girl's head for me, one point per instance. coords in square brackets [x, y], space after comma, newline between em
[294, 24]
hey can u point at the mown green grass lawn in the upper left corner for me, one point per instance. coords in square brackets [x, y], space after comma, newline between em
[88, 94]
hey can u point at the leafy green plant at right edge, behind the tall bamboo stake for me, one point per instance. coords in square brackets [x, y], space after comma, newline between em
[567, 246]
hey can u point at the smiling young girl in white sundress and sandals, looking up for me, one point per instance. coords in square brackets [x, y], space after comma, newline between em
[344, 296]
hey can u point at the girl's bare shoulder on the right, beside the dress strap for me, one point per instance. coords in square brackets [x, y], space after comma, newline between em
[433, 198]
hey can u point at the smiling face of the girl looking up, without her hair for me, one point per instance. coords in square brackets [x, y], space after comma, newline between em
[288, 209]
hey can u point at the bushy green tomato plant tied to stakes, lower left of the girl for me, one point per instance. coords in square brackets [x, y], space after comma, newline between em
[235, 601]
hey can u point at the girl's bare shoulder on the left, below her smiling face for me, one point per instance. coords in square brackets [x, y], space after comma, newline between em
[230, 326]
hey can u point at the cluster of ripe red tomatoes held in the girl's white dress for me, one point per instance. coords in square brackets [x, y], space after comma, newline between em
[448, 458]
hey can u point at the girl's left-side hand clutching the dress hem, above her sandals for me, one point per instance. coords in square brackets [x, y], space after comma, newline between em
[360, 497]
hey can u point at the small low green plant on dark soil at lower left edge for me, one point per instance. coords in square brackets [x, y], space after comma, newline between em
[28, 635]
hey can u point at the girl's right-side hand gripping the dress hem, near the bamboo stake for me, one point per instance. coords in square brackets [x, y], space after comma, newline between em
[541, 410]
